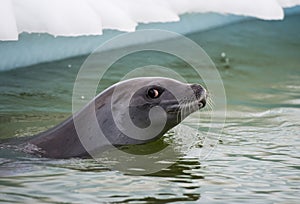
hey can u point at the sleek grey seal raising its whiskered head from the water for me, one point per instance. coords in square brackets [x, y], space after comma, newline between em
[134, 111]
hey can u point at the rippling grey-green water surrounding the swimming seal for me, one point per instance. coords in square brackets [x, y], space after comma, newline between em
[257, 159]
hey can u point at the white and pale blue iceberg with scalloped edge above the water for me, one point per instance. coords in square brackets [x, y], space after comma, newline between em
[34, 31]
